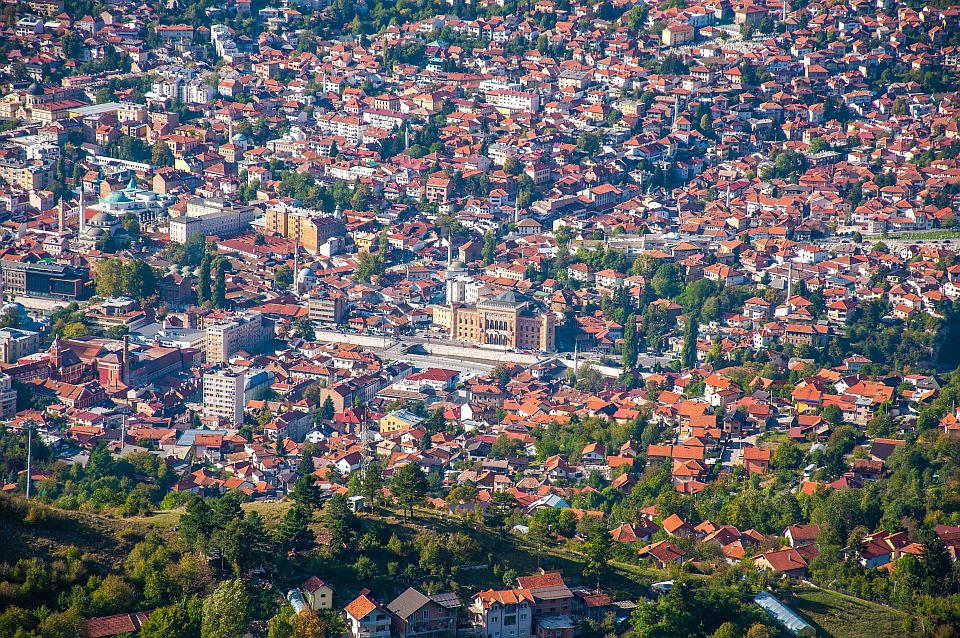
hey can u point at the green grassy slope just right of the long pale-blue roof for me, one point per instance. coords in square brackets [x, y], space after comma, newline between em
[842, 616]
